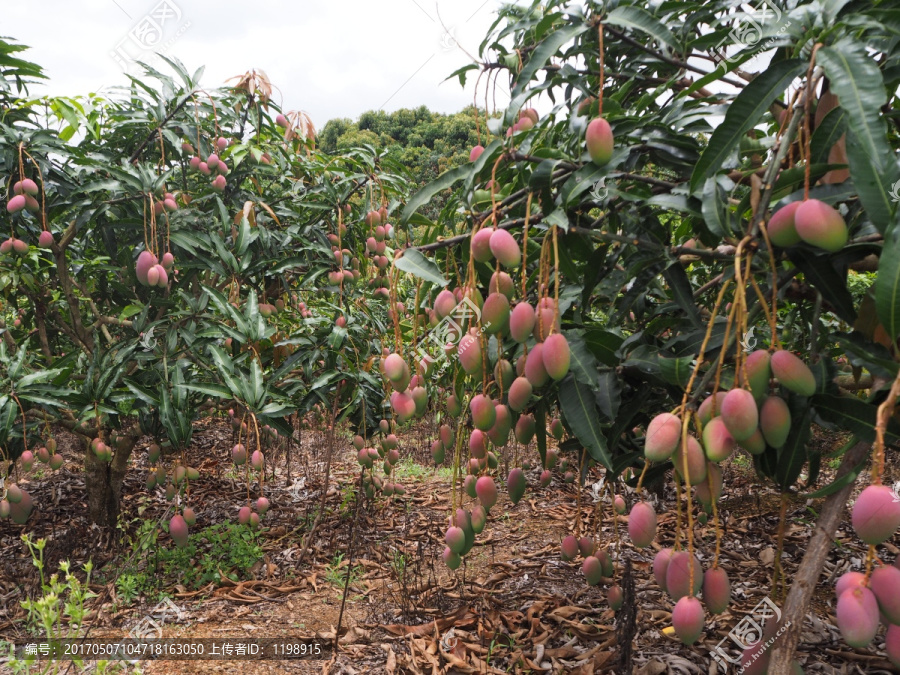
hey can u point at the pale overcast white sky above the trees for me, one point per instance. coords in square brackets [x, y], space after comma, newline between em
[337, 58]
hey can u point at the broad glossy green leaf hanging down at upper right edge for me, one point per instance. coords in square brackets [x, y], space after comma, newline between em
[856, 79]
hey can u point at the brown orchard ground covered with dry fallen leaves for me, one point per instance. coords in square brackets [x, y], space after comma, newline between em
[513, 607]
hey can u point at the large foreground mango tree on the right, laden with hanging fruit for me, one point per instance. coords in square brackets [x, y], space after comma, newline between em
[666, 257]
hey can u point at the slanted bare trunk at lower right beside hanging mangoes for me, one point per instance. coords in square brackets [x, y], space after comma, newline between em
[806, 580]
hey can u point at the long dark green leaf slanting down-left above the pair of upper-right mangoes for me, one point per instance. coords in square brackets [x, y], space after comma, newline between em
[743, 114]
